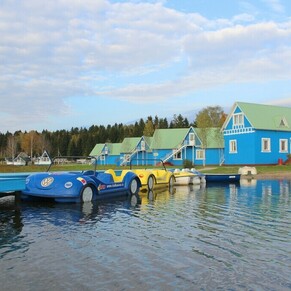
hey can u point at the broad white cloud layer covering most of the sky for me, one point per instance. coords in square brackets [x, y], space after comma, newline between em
[53, 51]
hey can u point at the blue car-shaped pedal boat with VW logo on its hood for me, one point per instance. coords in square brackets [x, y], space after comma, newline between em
[80, 186]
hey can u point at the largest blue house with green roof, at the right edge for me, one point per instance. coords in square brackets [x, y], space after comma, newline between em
[256, 134]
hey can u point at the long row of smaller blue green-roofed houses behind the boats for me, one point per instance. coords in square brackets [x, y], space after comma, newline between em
[173, 145]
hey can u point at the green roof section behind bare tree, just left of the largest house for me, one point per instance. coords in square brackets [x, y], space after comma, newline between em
[210, 137]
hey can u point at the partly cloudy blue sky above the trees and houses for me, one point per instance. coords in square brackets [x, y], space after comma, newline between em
[72, 63]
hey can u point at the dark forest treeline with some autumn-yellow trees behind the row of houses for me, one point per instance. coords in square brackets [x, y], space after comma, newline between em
[81, 141]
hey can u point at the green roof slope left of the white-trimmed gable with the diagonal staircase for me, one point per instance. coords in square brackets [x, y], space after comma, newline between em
[169, 138]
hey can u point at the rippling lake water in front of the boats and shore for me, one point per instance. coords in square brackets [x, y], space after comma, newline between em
[234, 237]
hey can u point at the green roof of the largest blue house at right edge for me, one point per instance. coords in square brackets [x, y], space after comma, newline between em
[268, 117]
